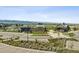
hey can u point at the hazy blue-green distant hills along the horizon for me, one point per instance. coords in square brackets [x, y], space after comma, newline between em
[29, 22]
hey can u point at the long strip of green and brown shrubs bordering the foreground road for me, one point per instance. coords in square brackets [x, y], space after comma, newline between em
[54, 45]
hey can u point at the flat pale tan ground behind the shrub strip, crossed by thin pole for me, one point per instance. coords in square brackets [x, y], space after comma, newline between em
[22, 36]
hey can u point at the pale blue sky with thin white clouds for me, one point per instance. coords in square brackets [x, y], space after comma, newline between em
[57, 14]
